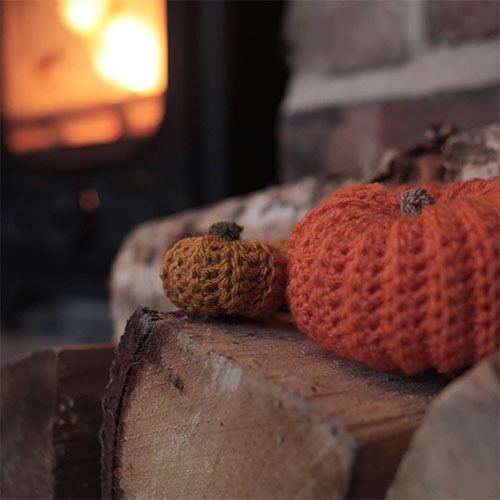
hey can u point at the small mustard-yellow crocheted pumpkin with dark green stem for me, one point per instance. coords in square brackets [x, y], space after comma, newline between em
[218, 274]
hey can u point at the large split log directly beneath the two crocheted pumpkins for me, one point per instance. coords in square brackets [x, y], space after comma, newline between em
[242, 409]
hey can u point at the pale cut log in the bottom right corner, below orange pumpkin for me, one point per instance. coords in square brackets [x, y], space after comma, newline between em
[455, 452]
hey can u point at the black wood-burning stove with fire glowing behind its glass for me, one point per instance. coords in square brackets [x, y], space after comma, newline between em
[113, 147]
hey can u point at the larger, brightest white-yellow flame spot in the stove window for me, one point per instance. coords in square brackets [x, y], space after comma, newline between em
[130, 55]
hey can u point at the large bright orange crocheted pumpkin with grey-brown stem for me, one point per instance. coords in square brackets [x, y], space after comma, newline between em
[407, 290]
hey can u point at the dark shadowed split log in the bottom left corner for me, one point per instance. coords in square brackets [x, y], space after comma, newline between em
[50, 419]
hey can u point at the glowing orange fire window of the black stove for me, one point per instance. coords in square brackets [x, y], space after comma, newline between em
[96, 65]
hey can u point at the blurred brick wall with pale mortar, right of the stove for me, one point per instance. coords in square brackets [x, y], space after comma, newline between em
[367, 75]
